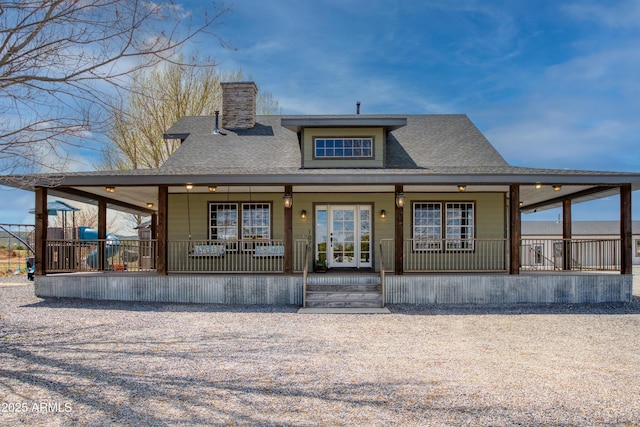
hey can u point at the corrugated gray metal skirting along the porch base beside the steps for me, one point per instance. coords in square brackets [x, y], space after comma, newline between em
[280, 289]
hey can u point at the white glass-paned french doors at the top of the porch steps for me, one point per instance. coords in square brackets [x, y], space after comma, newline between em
[343, 235]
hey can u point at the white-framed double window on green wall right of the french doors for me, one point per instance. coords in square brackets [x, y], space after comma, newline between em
[450, 228]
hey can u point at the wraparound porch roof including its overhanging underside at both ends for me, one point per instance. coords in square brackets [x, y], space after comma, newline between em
[139, 187]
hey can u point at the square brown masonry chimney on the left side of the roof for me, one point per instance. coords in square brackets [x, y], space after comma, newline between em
[239, 105]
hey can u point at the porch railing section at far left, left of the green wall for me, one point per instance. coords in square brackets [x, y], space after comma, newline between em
[100, 255]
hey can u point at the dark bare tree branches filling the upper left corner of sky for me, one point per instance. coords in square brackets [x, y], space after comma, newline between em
[59, 59]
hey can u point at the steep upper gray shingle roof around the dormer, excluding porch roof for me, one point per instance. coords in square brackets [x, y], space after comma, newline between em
[426, 141]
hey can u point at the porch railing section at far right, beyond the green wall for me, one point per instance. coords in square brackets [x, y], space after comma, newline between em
[570, 254]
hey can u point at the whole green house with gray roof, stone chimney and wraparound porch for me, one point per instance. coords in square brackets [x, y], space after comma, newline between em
[327, 210]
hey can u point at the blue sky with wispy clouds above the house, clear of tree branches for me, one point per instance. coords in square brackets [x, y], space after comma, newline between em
[552, 84]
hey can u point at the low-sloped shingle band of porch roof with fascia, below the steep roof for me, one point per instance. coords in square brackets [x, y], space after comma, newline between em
[438, 175]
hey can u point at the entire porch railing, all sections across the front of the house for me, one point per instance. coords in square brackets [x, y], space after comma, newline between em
[260, 256]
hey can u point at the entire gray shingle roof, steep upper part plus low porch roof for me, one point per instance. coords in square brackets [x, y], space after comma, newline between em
[429, 149]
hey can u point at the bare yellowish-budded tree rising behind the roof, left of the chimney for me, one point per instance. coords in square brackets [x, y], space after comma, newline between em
[157, 99]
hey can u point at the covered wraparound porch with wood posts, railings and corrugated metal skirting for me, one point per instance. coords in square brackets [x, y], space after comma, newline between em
[498, 269]
